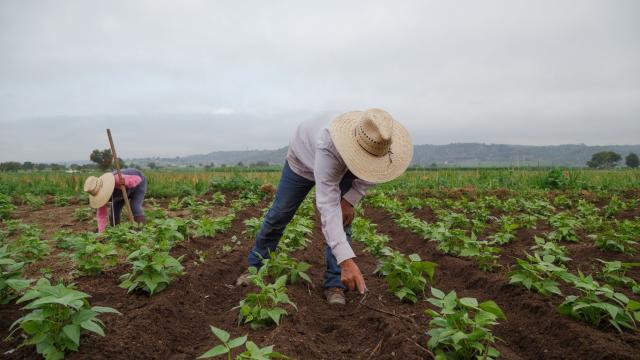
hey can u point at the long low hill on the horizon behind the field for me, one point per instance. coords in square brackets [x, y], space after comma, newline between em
[453, 155]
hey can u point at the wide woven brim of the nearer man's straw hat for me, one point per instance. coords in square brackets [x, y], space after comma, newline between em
[366, 166]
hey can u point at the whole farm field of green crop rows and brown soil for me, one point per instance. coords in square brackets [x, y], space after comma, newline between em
[544, 262]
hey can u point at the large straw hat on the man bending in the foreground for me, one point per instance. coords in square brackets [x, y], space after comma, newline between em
[375, 147]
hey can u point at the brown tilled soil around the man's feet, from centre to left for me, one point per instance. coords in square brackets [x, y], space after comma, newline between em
[174, 324]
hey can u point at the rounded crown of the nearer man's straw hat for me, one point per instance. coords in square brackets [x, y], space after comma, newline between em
[374, 132]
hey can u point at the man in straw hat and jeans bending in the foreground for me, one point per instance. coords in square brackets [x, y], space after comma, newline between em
[342, 159]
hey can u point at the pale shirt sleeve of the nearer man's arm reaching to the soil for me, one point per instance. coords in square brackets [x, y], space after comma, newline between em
[328, 171]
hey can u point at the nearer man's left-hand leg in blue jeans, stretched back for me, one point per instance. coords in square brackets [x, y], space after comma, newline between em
[292, 190]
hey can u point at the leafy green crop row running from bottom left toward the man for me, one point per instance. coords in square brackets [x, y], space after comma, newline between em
[59, 313]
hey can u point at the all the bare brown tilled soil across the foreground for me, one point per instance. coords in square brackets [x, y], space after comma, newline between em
[174, 324]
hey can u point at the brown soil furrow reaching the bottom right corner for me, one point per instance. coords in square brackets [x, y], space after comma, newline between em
[533, 329]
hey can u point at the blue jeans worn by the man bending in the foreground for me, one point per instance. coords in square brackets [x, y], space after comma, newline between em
[292, 190]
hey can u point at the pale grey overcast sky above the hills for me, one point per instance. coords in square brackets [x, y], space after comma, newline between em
[183, 77]
